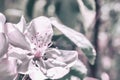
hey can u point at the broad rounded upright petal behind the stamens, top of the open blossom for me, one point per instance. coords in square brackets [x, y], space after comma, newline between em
[44, 28]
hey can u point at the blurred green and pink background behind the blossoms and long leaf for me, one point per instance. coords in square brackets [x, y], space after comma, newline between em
[98, 20]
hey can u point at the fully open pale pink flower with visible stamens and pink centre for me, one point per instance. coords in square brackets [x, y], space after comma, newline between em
[31, 45]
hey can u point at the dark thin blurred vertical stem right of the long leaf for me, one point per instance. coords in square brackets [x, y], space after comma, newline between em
[94, 68]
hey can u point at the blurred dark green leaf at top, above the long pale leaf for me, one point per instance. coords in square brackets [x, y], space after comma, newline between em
[67, 11]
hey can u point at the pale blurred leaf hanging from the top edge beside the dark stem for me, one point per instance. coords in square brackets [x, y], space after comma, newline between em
[87, 14]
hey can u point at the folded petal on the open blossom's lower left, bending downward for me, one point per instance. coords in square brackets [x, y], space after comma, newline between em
[21, 55]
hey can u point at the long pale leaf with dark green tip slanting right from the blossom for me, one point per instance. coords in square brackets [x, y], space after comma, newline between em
[79, 39]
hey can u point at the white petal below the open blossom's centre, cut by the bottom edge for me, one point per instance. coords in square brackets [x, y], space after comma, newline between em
[35, 73]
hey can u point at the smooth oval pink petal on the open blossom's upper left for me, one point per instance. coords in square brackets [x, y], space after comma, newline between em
[16, 38]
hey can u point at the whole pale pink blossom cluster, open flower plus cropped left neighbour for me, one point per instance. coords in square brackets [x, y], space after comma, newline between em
[25, 48]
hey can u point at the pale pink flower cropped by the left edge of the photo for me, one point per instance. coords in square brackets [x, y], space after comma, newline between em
[8, 66]
